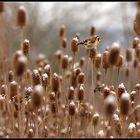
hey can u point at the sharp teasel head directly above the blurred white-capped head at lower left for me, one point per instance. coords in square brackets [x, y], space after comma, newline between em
[36, 79]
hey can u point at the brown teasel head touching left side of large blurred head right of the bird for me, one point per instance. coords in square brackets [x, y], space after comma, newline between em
[105, 60]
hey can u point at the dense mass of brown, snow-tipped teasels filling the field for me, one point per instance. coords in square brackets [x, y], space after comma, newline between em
[86, 98]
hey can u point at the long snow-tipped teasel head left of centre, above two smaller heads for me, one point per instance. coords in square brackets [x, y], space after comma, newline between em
[55, 82]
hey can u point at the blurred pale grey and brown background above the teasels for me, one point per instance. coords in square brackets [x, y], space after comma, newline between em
[113, 22]
